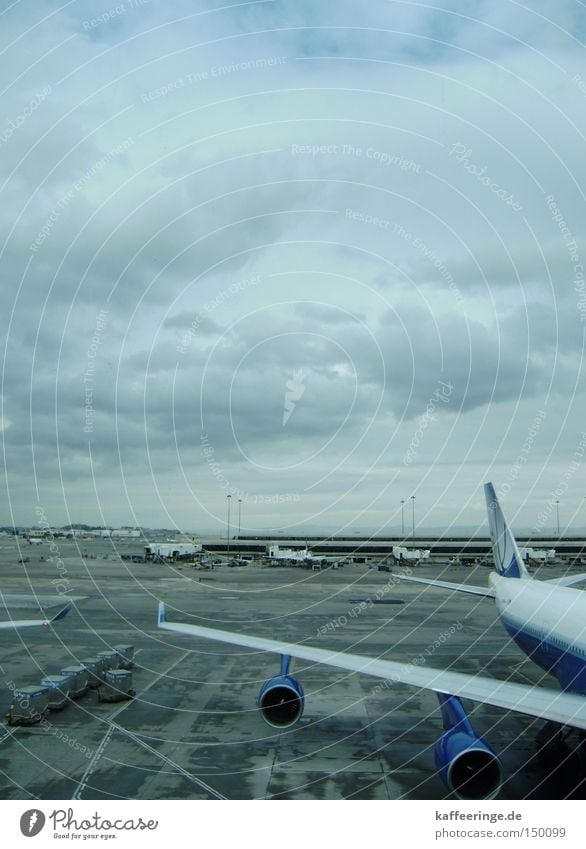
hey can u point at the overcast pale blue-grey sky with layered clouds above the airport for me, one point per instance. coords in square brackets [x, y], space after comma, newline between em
[322, 258]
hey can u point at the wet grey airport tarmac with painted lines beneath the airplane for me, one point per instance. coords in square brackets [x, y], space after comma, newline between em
[193, 730]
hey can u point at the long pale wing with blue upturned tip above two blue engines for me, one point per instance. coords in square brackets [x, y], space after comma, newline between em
[554, 705]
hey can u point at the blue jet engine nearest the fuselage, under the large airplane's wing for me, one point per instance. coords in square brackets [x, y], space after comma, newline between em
[466, 763]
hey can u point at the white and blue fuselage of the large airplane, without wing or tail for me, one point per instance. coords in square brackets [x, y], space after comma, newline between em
[548, 623]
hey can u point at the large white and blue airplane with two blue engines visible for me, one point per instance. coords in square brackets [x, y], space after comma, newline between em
[547, 620]
